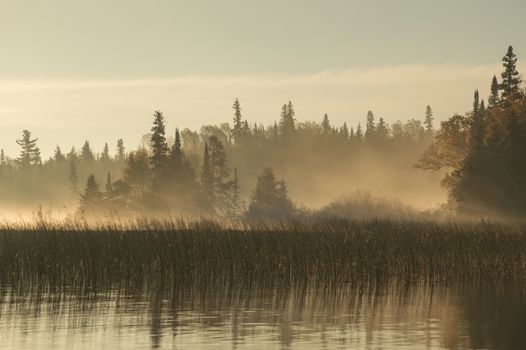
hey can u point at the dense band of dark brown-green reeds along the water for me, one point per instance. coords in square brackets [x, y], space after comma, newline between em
[232, 254]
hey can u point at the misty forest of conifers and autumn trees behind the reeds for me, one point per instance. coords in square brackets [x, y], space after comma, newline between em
[229, 169]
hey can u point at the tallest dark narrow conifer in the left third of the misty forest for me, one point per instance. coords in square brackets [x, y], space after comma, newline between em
[160, 148]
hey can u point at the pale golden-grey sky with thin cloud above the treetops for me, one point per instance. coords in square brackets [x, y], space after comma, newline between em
[96, 70]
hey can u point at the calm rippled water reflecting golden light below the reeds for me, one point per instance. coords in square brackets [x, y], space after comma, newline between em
[417, 316]
